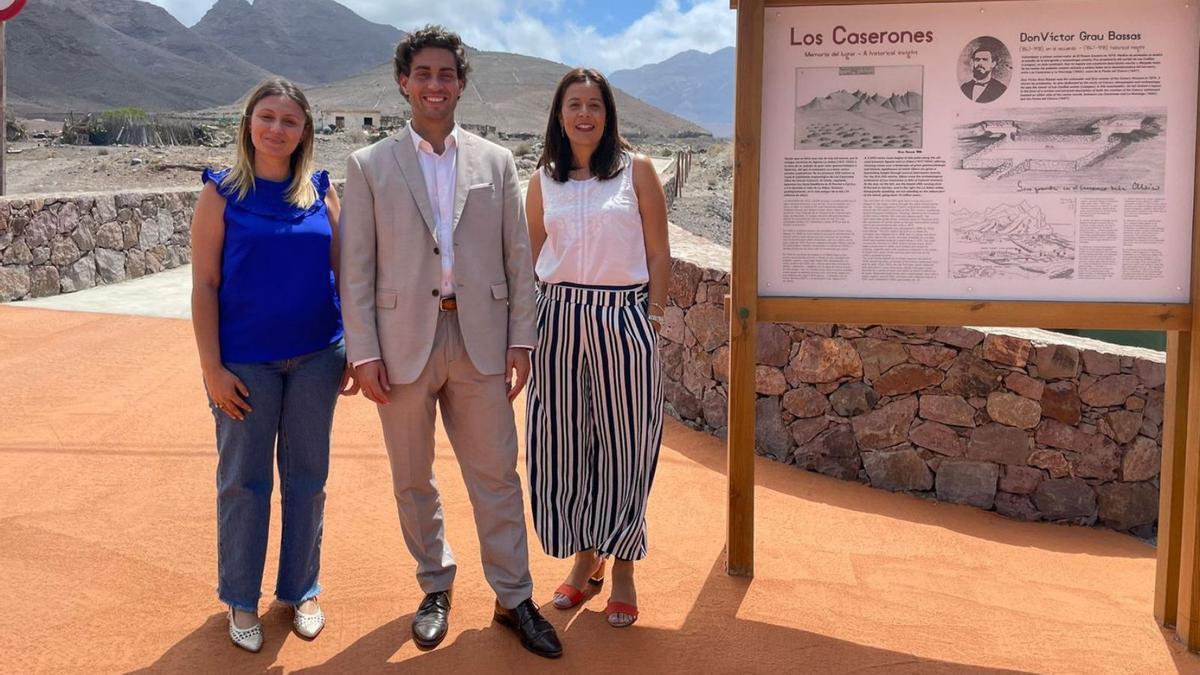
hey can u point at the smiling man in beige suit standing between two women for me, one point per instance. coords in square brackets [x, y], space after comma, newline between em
[437, 300]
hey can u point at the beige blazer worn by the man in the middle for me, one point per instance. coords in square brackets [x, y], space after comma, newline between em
[392, 268]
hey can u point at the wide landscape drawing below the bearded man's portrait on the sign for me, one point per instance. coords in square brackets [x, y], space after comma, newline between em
[1066, 151]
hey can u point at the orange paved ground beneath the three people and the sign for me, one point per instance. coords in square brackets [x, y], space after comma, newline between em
[107, 542]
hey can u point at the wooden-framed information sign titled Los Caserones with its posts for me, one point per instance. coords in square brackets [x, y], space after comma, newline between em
[932, 50]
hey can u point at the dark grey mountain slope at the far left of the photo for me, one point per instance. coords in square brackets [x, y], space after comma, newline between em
[86, 56]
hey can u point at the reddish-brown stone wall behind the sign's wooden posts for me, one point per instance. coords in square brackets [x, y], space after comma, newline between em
[1021, 422]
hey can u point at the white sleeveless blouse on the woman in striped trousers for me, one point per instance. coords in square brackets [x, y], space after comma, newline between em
[593, 231]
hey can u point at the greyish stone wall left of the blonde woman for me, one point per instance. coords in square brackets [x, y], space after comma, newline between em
[62, 244]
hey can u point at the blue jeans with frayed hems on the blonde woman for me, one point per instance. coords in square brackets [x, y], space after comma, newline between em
[293, 415]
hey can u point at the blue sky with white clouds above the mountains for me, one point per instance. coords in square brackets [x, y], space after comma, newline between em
[610, 35]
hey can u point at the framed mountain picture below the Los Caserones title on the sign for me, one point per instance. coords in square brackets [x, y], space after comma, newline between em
[859, 107]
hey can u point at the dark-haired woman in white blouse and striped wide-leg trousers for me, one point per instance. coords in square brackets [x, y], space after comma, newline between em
[598, 226]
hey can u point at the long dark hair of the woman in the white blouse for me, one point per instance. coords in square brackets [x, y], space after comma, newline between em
[556, 153]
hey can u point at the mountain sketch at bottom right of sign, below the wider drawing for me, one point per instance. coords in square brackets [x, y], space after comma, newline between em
[1015, 240]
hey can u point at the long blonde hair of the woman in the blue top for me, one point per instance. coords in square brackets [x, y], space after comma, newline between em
[241, 178]
